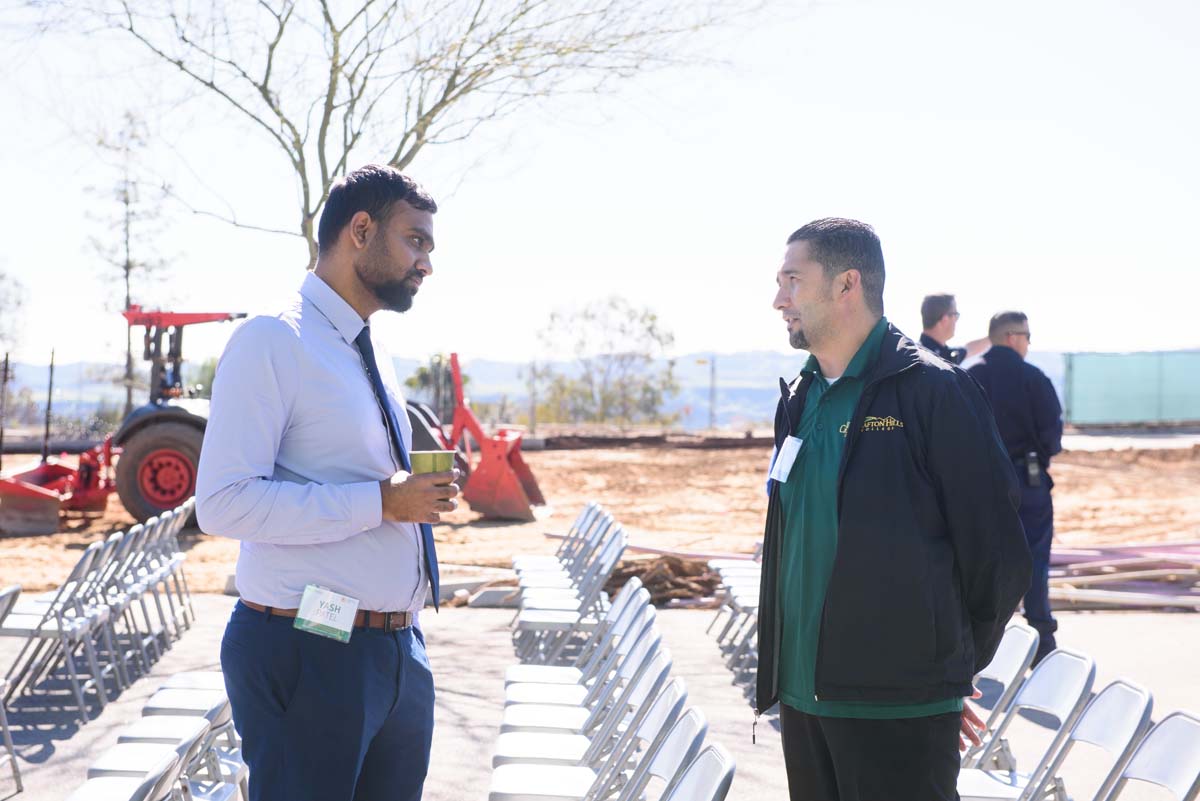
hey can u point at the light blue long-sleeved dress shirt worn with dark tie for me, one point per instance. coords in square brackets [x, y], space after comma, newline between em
[293, 454]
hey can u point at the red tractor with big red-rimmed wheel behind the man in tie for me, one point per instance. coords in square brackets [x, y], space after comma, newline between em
[161, 441]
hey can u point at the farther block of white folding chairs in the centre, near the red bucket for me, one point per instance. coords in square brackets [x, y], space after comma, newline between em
[561, 597]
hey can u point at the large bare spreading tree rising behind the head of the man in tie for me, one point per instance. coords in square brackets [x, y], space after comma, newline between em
[332, 85]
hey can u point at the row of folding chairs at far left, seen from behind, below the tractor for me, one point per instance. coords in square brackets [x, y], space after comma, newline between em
[124, 604]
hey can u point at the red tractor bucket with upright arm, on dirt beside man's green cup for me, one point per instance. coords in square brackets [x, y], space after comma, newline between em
[502, 485]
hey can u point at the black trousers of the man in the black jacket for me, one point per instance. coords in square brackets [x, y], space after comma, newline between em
[854, 760]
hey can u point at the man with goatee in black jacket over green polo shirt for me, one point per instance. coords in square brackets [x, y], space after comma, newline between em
[893, 555]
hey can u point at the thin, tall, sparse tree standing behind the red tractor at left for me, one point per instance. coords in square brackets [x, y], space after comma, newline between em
[128, 236]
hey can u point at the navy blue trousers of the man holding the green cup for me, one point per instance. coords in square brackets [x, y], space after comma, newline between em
[326, 721]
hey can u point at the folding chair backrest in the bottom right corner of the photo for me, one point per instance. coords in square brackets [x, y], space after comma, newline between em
[1169, 757]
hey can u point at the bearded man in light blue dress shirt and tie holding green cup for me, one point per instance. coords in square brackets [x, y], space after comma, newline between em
[305, 461]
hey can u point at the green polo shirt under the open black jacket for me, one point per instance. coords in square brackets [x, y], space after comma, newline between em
[811, 539]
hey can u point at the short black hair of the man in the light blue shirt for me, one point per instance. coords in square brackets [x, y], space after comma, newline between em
[374, 189]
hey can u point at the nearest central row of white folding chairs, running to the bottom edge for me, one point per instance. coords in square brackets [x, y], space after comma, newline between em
[607, 721]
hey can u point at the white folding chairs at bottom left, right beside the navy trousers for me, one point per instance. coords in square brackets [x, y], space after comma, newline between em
[183, 749]
